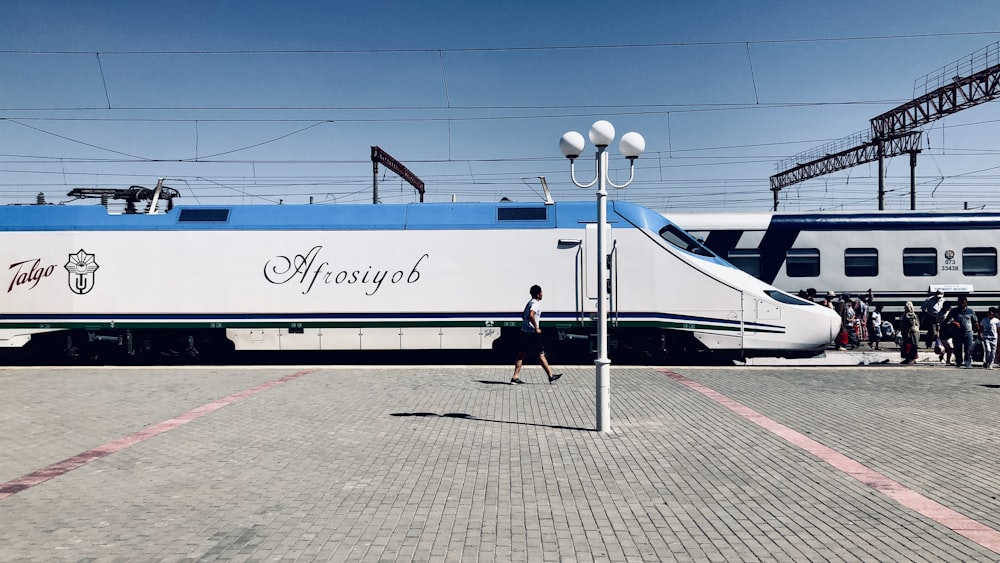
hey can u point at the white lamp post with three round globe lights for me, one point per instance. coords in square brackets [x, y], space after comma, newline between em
[631, 146]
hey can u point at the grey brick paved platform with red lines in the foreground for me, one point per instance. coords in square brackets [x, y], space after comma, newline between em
[453, 464]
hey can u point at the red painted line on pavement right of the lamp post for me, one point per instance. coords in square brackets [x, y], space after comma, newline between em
[971, 529]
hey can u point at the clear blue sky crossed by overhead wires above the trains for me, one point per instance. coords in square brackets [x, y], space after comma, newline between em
[256, 102]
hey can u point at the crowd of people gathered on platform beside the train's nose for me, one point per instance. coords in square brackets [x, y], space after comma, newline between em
[951, 332]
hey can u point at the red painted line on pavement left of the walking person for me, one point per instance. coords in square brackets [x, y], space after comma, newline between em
[65, 466]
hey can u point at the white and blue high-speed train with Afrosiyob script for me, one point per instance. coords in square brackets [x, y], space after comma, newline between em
[377, 277]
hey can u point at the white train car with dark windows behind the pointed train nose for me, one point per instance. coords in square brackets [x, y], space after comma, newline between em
[900, 256]
